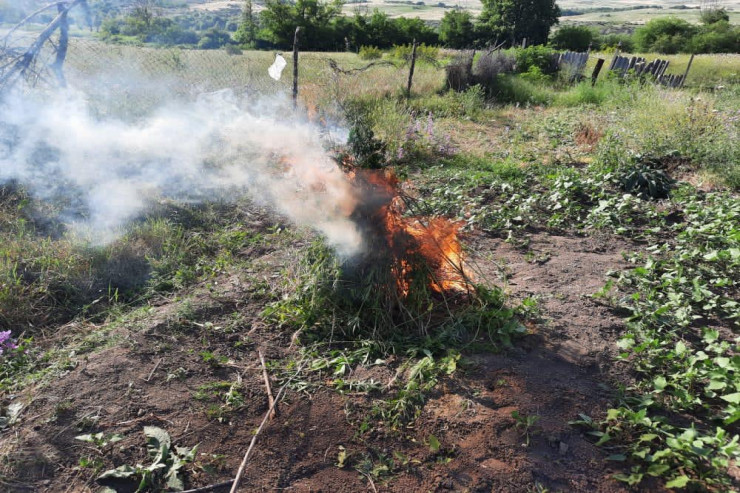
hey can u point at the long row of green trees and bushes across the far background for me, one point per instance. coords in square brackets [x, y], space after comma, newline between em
[501, 22]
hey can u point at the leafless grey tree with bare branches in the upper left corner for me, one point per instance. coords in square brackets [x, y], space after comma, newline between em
[17, 64]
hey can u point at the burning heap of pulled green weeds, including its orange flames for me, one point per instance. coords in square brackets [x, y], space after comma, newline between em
[410, 275]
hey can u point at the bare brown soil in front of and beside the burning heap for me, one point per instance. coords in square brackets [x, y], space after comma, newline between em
[150, 371]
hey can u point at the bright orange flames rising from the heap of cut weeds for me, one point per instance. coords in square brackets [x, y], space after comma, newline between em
[415, 243]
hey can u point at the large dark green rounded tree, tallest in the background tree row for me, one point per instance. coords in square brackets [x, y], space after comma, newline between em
[514, 20]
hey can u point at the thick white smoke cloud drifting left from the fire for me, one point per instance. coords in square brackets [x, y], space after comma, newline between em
[191, 151]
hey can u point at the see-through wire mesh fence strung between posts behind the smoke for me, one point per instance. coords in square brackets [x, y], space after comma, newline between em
[143, 76]
